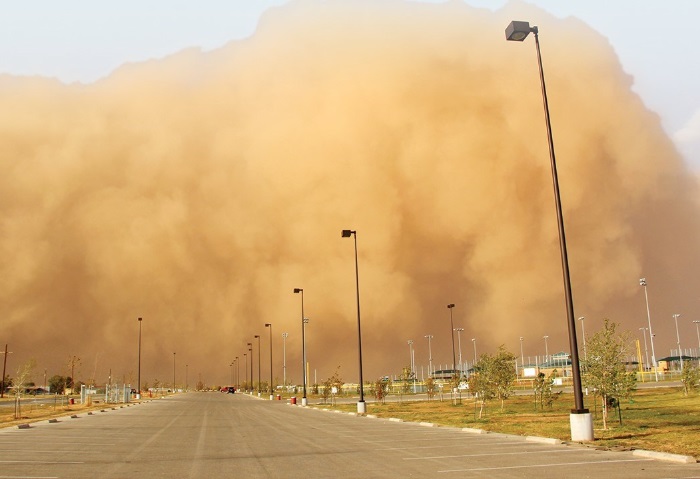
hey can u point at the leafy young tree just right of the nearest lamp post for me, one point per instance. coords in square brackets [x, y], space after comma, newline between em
[604, 370]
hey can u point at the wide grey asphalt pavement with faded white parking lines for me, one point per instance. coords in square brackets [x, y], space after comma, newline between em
[207, 435]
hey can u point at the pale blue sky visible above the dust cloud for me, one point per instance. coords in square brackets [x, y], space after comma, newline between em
[83, 40]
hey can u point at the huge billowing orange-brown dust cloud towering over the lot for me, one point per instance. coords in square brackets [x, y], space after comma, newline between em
[198, 190]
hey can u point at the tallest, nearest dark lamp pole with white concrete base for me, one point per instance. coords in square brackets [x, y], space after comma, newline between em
[580, 419]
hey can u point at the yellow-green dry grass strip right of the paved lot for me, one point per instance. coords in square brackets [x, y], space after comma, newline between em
[659, 419]
